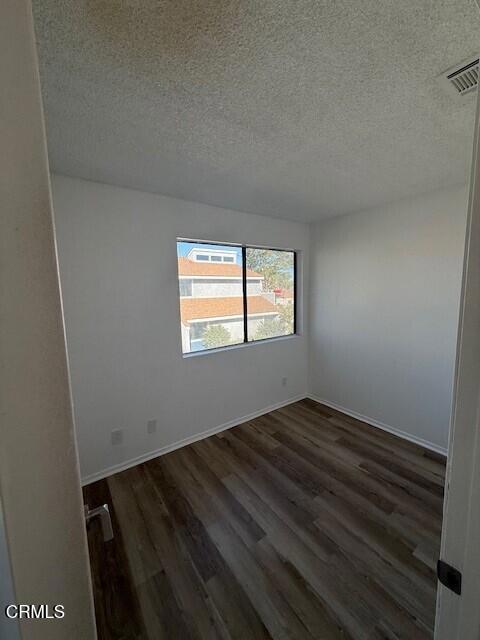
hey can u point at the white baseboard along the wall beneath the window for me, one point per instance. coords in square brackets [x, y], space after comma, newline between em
[127, 464]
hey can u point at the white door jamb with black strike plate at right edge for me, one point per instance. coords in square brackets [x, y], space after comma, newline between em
[458, 616]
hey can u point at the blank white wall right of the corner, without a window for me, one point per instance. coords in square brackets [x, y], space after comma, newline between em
[384, 312]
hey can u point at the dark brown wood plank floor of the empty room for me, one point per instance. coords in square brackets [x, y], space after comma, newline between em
[303, 523]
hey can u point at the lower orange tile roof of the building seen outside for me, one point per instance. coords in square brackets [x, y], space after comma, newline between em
[199, 308]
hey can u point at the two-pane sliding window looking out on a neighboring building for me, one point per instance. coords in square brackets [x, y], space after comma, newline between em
[238, 294]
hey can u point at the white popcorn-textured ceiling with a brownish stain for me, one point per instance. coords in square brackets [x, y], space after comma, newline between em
[300, 109]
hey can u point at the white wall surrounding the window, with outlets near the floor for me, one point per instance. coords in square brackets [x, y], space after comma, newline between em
[117, 250]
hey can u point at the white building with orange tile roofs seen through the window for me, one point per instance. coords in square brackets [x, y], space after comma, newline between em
[210, 282]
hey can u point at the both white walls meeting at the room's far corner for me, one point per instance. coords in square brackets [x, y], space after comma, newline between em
[384, 308]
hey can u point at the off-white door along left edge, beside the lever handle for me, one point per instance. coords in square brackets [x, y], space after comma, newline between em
[45, 538]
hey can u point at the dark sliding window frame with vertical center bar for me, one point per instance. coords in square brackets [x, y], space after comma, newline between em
[244, 248]
